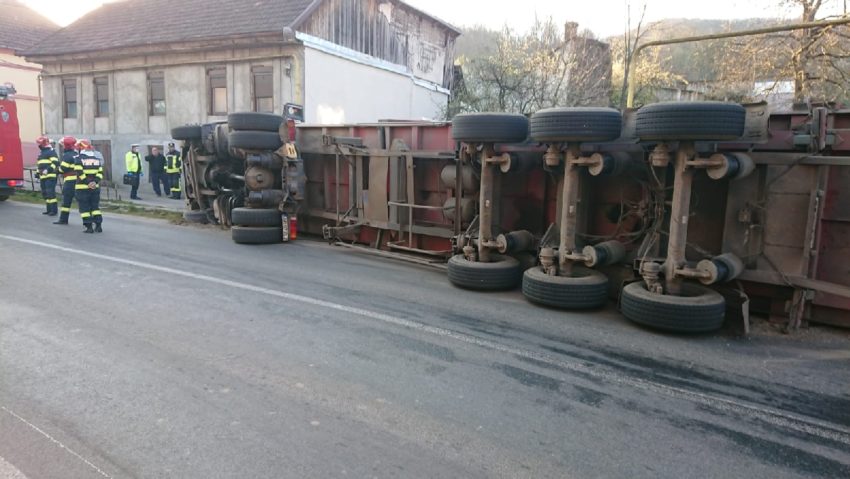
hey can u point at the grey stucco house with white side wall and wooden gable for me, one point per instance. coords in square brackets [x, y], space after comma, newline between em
[130, 71]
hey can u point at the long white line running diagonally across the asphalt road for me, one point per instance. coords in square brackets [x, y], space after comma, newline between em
[807, 425]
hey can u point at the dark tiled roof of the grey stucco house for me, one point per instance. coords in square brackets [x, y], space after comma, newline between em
[132, 23]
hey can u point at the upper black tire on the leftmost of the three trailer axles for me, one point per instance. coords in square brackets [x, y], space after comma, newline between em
[490, 127]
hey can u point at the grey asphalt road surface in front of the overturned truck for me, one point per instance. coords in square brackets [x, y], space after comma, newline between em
[155, 350]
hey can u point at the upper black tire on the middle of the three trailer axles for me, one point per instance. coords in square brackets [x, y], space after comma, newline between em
[576, 124]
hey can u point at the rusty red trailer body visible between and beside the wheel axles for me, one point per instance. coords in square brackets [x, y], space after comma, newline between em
[391, 186]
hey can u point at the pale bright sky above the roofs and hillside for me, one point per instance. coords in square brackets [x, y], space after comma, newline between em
[603, 17]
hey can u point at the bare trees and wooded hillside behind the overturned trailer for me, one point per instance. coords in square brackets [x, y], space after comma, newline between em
[556, 63]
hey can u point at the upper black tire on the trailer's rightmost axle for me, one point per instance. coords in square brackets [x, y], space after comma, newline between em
[698, 120]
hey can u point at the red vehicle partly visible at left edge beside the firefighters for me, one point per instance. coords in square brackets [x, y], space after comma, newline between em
[11, 154]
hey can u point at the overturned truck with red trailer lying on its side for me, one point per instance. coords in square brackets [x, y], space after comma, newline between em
[687, 214]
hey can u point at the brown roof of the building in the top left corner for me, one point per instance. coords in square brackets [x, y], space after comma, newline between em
[21, 27]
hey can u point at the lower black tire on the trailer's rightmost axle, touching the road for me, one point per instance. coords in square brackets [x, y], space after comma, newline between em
[698, 310]
